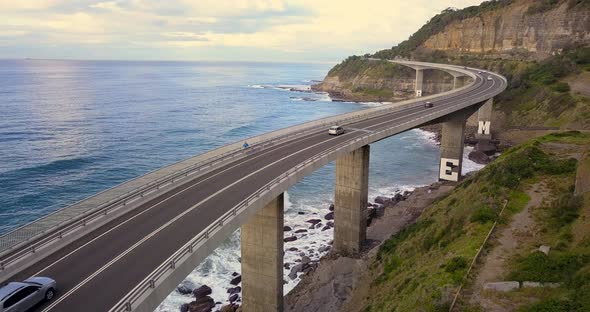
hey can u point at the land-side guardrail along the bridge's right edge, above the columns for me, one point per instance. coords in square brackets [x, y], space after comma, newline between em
[150, 282]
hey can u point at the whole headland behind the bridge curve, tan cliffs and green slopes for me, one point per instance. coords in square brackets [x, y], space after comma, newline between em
[541, 46]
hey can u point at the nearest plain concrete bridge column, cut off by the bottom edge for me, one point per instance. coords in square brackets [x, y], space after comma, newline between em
[262, 259]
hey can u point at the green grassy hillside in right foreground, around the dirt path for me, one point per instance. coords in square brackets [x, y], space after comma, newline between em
[420, 268]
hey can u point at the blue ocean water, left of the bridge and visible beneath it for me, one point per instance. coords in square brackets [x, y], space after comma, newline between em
[69, 129]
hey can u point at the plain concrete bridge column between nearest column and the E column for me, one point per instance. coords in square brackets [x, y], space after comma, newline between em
[350, 201]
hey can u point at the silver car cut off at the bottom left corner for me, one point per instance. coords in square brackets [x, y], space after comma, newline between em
[22, 296]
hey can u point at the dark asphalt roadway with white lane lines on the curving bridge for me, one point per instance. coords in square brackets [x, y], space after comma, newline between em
[95, 272]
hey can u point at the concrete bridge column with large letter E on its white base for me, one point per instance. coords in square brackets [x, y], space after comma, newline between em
[451, 146]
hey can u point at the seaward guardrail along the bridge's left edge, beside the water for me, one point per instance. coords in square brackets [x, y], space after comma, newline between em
[27, 239]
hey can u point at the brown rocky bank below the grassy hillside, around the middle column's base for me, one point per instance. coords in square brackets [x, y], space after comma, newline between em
[329, 284]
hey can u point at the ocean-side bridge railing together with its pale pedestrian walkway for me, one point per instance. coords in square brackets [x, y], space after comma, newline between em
[30, 238]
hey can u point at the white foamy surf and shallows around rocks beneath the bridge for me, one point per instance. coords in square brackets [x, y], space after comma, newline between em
[216, 271]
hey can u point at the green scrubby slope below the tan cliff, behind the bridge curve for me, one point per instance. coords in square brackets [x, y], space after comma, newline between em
[537, 95]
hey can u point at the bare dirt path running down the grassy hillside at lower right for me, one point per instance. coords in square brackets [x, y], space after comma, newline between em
[507, 242]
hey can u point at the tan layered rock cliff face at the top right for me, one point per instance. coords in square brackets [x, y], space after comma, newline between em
[516, 29]
